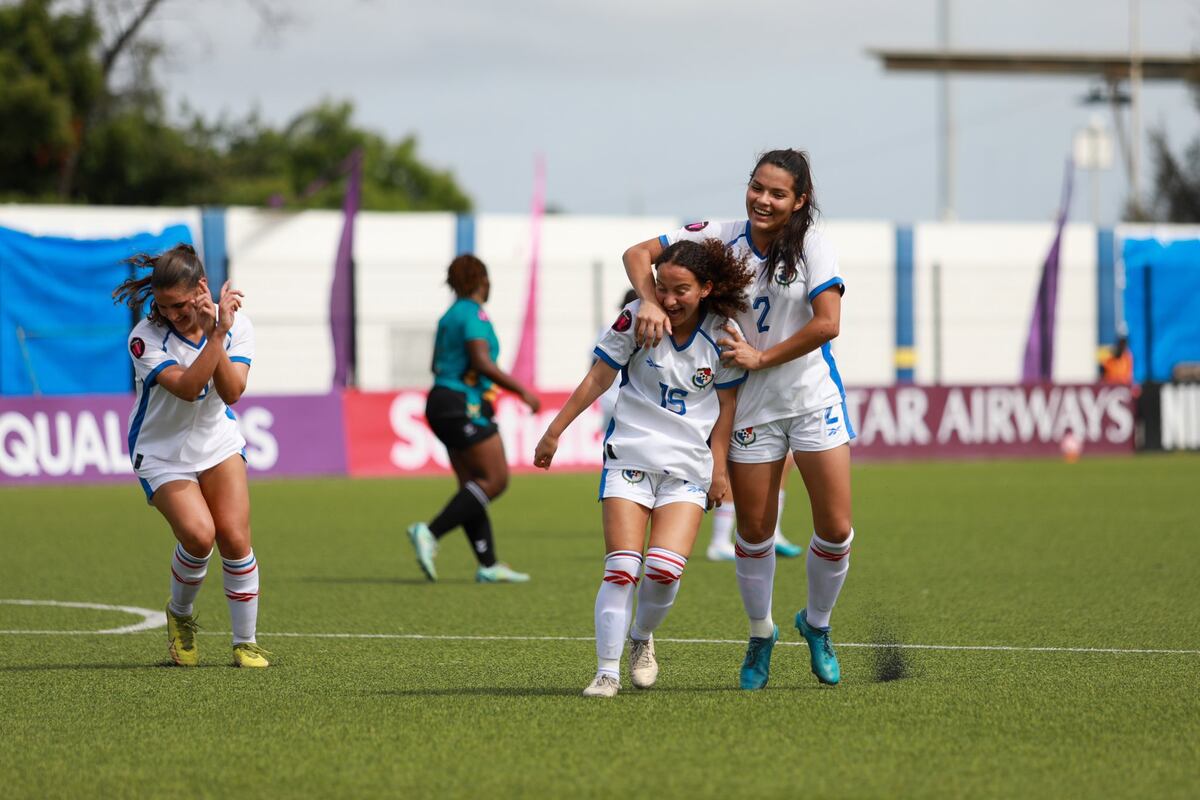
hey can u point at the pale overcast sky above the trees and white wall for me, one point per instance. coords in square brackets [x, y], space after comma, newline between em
[662, 106]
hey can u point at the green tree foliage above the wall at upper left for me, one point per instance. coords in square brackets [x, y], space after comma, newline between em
[56, 103]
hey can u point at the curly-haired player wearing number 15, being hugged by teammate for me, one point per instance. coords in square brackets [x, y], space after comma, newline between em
[658, 466]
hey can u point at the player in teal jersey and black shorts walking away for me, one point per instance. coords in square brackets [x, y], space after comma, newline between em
[460, 413]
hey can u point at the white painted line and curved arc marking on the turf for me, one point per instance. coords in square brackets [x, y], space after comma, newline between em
[151, 624]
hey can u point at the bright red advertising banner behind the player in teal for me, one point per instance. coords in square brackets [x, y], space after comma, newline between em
[387, 435]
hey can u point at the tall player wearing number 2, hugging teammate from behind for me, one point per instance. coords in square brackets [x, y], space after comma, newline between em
[793, 402]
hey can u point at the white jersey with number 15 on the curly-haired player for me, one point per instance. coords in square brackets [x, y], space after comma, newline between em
[668, 404]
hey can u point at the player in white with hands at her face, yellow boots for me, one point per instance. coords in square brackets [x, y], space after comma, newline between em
[191, 359]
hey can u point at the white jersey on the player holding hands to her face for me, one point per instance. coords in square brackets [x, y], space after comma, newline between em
[196, 435]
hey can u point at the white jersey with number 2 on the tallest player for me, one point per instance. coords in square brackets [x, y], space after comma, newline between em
[777, 312]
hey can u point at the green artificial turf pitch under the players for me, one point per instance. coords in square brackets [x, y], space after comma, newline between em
[1037, 557]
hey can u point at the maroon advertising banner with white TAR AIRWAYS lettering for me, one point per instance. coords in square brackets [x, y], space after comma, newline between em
[989, 422]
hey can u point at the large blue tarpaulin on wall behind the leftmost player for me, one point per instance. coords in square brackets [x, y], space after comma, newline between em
[61, 333]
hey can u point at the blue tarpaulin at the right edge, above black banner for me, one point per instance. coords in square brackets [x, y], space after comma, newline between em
[1162, 305]
